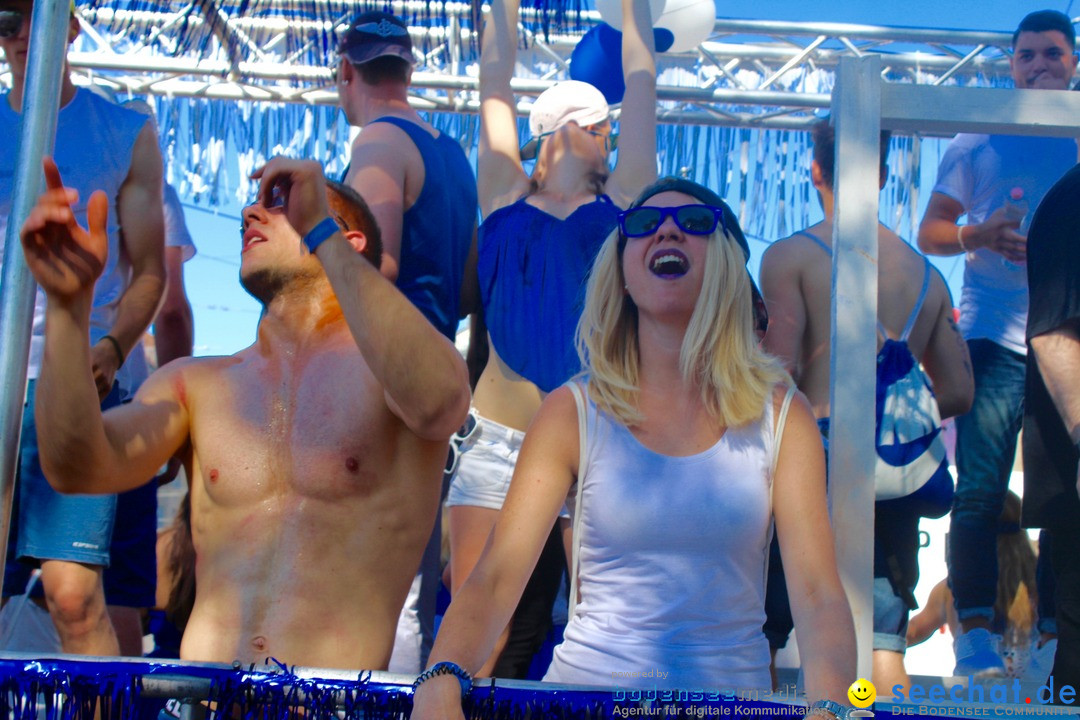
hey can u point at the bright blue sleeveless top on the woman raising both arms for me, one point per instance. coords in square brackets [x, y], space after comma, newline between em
[533, 269]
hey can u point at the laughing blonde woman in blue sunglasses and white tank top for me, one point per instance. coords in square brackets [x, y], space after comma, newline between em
[682, 486]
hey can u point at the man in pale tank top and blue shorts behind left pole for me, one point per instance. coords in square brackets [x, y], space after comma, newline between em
[99, 145]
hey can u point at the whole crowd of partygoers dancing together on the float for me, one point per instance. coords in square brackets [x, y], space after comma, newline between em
[637, 422]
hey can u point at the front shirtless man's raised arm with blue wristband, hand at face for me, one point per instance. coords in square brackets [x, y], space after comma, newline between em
[424, 376]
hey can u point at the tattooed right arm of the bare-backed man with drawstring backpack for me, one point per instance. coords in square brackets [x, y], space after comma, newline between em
[947, 359]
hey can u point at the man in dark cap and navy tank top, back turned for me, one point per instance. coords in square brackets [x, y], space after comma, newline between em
[423, 192]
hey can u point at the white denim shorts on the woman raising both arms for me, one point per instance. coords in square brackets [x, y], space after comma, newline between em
[487, 466]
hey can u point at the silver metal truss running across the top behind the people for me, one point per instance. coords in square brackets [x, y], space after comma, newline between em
[749, 73]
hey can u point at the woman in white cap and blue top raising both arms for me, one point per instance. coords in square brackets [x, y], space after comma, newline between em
[538, 240]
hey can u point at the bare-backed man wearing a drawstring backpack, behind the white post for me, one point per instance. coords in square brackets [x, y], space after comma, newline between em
[798, 281]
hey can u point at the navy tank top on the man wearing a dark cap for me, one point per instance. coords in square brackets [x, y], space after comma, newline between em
[437, 230]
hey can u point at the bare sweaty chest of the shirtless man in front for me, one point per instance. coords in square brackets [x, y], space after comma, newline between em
[301, 434]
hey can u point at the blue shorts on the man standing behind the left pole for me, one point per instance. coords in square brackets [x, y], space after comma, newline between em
[50, 526]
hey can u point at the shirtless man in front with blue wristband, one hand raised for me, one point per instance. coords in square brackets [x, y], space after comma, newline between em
[315, 456]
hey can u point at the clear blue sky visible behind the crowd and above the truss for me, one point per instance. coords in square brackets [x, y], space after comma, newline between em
[226, 317]
